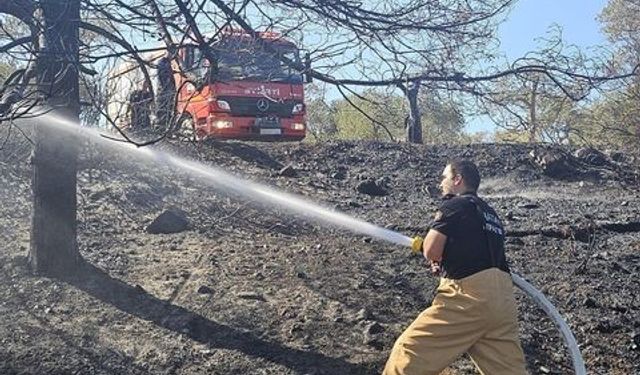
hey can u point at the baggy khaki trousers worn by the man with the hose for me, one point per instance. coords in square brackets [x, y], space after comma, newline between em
[476, 315]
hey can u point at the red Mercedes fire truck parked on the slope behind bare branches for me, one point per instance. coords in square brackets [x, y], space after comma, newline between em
[240, 89]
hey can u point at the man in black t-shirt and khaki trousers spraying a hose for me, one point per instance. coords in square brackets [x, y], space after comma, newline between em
[474, 310]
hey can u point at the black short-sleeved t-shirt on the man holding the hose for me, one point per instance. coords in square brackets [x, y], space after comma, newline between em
[475, 236]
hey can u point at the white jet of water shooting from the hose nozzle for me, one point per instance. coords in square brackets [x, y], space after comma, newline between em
[222, 180]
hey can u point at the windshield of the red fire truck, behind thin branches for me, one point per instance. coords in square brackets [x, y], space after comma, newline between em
[242, 62]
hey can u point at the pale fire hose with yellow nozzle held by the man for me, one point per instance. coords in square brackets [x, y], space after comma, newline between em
[547, 307]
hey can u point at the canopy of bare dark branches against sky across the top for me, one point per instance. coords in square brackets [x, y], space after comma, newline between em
[445, 46]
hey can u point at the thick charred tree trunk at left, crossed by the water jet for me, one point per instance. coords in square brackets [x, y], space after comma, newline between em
[53, 232]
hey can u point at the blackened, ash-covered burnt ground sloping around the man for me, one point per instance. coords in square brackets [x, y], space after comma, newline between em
[249, 289]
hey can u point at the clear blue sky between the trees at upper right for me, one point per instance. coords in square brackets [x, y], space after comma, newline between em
[530, 20]
